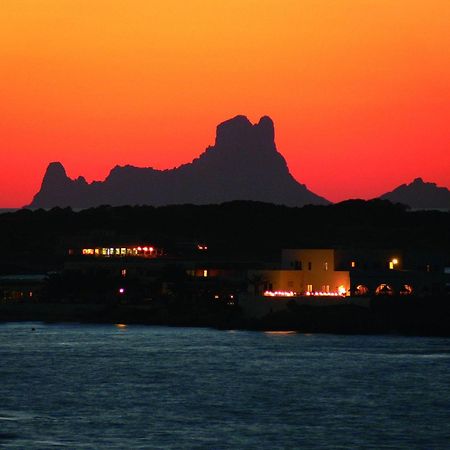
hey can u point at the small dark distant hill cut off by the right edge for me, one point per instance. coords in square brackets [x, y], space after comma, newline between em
[420, 195]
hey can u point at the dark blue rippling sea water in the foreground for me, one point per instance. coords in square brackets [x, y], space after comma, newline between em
[105, 387]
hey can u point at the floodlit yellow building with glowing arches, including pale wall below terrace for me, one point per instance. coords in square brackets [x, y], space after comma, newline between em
[322, 277]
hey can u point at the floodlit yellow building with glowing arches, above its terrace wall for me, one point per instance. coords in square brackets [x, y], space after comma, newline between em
[349, 273]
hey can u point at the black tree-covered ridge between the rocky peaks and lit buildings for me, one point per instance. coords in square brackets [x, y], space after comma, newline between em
[244, 229]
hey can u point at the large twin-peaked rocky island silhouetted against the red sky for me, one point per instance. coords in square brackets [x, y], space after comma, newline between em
[243, 164]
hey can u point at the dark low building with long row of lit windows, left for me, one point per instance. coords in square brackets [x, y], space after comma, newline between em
[146, 271]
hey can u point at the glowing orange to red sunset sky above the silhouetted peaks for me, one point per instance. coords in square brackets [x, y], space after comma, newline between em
[358, 89]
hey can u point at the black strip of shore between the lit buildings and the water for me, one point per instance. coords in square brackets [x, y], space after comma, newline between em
[384, 317]
